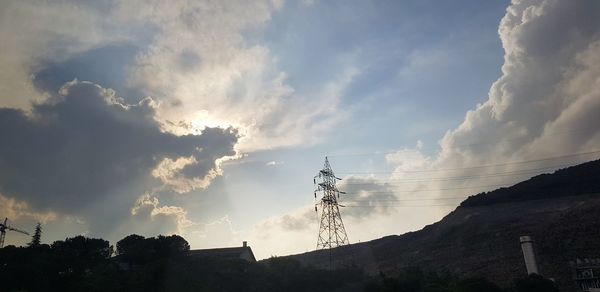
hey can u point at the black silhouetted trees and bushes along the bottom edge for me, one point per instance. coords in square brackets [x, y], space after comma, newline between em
[162, 264]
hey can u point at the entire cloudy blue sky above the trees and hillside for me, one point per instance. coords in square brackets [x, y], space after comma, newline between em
[209, 119]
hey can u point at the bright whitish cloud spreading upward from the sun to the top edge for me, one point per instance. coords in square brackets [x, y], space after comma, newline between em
[208, 73]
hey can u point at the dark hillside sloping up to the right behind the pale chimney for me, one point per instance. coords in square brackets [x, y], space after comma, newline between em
[481, 236]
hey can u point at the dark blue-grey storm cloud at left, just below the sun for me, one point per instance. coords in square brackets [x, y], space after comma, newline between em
[85, 145]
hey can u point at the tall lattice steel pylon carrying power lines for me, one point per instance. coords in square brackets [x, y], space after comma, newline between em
[331, 230]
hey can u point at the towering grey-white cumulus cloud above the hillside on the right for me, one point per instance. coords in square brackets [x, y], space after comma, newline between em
[545, 104]
